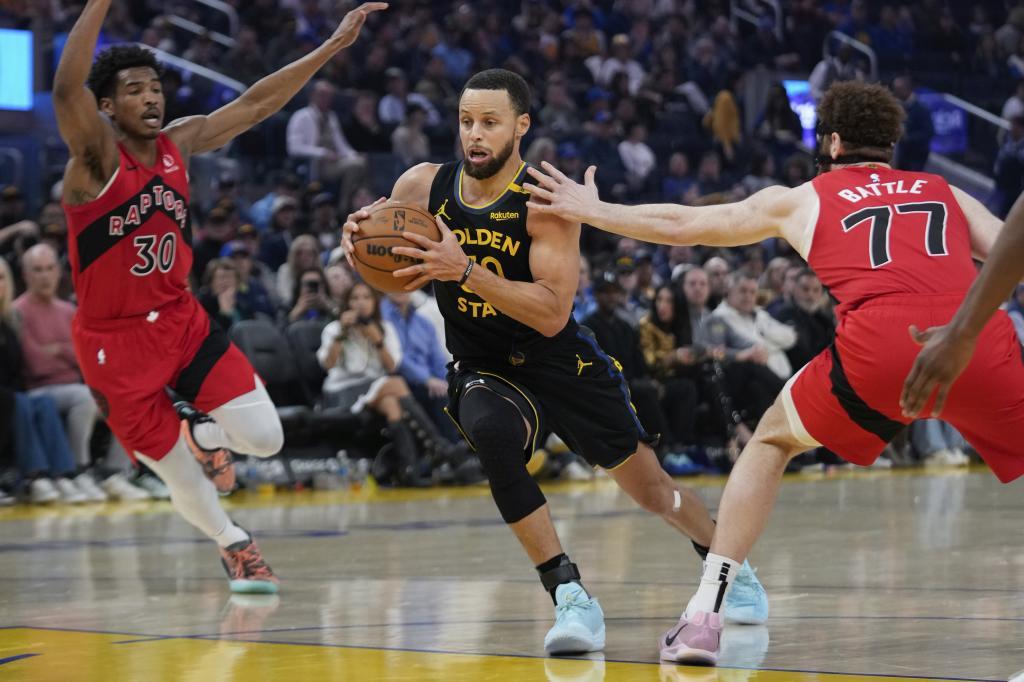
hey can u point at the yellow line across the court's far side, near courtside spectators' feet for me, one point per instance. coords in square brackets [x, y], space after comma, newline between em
[373, 495]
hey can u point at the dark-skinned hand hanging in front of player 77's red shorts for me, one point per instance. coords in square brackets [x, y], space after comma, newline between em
[938, 365]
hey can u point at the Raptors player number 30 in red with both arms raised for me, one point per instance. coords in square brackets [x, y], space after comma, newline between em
[139, 330]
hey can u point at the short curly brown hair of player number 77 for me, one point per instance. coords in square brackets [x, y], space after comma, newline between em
[868, 117]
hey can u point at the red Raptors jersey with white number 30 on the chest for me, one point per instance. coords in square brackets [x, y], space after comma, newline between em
[132, 247]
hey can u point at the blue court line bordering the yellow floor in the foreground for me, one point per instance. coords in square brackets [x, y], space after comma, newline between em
[212, 638]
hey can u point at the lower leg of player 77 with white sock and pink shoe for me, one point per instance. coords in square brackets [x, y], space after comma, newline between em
[747, 502]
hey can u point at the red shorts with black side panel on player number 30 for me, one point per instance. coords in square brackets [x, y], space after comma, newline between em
[131, 363]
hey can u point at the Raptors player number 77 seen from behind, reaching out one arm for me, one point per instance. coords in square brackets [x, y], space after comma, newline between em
[895, 249]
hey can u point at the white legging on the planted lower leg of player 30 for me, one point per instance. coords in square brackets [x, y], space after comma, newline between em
[194, 496]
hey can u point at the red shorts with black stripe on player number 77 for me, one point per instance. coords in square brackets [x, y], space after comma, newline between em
[847, 399]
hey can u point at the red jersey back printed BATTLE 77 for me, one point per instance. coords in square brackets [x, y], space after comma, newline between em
[887, 232]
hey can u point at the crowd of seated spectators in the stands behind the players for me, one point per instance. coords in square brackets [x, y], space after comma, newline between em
[655, 93]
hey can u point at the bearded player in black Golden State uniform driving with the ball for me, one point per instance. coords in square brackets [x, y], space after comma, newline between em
[505, 282]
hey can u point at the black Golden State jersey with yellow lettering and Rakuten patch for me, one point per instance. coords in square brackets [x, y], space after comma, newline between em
[495, 236]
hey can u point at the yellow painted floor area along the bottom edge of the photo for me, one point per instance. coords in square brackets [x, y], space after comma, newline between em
[88, 657]
